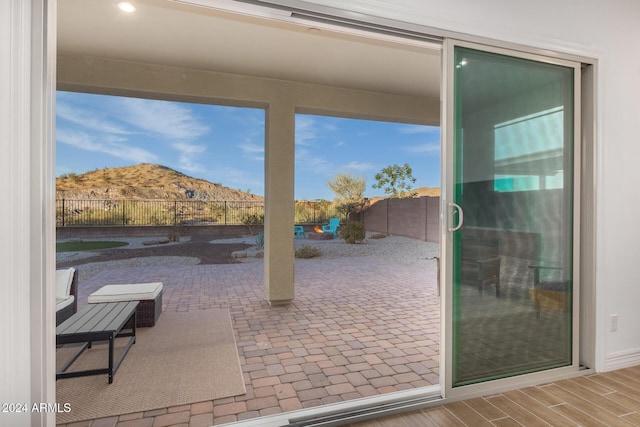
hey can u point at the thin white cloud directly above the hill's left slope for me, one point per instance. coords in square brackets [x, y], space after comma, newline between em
[111, 145]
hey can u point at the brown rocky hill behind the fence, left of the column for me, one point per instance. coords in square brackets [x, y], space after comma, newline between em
[144, 181]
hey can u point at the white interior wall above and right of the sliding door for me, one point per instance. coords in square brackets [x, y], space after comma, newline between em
[607, 30]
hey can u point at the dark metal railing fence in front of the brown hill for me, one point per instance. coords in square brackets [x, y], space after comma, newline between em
[92, 212]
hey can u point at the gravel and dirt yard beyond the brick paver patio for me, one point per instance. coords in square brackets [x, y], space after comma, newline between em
[205, 251]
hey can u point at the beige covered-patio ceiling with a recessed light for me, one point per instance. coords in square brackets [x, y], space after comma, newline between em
[173, 33]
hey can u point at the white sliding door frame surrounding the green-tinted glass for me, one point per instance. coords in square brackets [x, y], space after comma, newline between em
[583, 338]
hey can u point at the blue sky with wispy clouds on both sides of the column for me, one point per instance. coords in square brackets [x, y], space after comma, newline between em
[226, 144]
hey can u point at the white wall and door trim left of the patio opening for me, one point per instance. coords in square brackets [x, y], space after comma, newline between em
[26, 306]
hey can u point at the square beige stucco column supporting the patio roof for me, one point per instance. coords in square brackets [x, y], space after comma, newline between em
[279, 209]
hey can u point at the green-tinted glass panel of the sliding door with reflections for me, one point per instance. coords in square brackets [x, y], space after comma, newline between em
[513, 178]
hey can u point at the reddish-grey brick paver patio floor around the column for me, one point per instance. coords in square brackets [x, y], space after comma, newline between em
[358, 327]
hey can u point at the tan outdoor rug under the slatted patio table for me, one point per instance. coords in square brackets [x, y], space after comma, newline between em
[187, 357]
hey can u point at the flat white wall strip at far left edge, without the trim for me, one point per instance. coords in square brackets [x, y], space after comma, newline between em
[15, 370]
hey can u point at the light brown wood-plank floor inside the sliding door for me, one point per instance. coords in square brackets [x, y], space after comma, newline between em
[607, 399]
